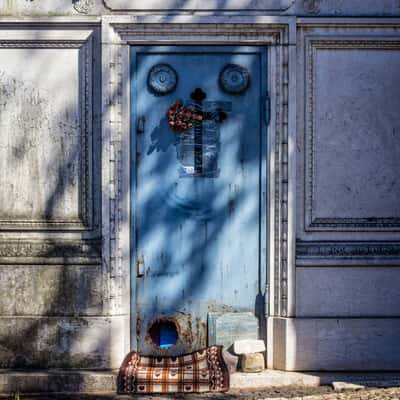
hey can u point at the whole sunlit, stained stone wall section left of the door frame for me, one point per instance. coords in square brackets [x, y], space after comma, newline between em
[53, 307]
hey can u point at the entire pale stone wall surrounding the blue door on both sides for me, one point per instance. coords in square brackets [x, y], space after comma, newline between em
[64, 202]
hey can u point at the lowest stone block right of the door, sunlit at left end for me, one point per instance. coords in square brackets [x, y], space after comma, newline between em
[337, 344]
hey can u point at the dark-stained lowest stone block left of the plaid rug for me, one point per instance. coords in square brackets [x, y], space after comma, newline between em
[61, 342]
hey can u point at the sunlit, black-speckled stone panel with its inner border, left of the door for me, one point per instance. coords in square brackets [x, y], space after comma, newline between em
[45, 144]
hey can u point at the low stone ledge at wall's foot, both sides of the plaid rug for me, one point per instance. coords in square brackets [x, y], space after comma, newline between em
[90, 381]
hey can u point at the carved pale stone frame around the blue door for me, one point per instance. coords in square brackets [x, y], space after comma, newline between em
[278, 34]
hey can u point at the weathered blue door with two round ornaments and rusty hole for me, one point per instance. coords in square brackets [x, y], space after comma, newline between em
[198, 190]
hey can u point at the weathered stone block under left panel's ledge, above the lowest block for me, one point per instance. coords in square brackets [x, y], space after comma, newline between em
[51, 290]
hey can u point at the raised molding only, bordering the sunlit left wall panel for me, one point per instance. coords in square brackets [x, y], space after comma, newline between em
[63, 39]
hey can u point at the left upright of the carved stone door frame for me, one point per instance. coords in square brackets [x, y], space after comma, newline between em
[115, 193]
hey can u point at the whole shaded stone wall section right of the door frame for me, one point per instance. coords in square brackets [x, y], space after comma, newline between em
[348, 213]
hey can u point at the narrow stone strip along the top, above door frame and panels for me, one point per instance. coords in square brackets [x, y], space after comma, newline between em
[313, 8]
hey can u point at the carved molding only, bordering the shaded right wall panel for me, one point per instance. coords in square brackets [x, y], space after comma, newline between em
[312, 223]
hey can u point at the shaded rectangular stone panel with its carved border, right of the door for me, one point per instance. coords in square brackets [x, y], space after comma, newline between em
[353, 135]
